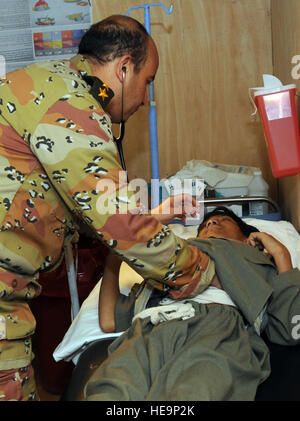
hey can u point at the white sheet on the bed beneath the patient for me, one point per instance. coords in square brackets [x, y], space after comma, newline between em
[85, 327]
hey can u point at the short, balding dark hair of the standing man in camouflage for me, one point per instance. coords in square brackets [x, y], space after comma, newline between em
[114, 37]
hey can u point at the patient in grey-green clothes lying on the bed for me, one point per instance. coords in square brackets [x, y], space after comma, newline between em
[206, 347]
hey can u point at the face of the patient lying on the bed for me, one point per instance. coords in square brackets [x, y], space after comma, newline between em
[222, 226]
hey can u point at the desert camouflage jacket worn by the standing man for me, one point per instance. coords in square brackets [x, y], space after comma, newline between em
[56, 147]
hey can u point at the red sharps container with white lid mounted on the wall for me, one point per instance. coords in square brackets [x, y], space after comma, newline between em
[278, 112]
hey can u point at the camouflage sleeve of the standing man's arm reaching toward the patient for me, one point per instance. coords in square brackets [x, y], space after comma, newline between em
[74, 144]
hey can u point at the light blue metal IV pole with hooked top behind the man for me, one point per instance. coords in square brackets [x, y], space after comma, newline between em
[152, 111]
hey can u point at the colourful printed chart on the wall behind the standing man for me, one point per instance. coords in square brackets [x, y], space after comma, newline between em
[34, 30]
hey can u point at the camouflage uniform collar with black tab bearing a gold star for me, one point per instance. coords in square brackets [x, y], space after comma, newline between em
[100, 90]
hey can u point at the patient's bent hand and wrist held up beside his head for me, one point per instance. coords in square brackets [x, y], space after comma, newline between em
[274, 248]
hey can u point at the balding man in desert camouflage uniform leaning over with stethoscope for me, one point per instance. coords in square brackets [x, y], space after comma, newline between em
[56, 146]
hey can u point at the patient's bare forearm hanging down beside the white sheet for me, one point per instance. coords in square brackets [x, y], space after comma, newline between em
[109, 293]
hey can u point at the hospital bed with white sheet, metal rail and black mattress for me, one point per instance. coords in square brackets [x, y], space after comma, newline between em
[86, 345]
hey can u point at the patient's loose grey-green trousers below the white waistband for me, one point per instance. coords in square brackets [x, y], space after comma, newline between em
[207, 357]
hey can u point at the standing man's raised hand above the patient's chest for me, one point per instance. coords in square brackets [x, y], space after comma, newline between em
[177, 206]
